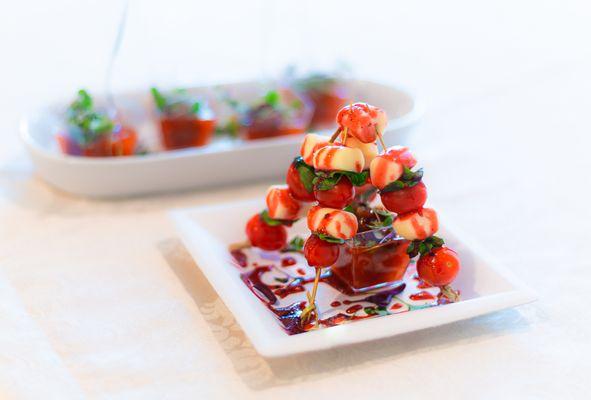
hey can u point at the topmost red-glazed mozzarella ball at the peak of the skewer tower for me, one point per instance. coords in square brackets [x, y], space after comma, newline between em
[363, 121]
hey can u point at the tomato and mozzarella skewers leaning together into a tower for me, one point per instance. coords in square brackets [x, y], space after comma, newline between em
[333, 182]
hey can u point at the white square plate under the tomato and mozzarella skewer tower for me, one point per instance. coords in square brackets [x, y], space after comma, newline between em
[208, 231]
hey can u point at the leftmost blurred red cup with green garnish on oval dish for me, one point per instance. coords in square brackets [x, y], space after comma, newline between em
[93, 133]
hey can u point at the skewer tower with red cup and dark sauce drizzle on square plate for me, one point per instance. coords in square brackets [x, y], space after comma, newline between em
[372, 240]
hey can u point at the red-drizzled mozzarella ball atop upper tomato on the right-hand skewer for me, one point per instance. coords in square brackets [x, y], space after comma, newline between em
[389, 166]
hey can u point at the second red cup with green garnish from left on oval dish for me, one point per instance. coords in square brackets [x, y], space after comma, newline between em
[184, 120]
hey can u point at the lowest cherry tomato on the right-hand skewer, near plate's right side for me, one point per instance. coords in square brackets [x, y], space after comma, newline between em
[439, 267]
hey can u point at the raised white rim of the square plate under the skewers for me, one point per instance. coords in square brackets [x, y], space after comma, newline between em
[346, 334]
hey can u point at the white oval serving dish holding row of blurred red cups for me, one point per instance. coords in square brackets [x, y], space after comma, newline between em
[221, 163]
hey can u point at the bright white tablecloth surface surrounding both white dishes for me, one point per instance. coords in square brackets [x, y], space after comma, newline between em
[99, 299]
